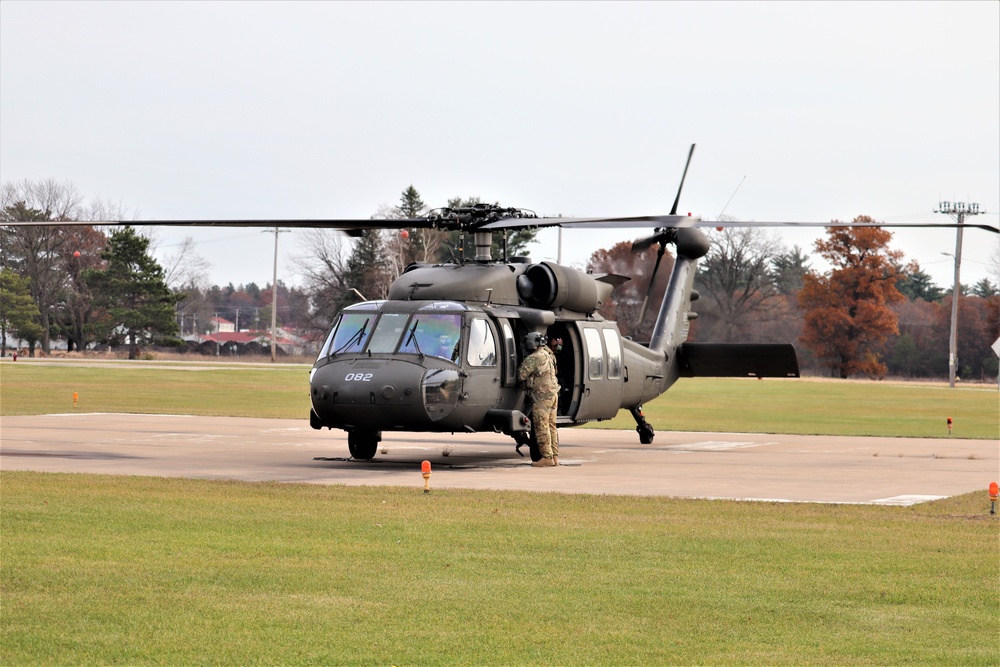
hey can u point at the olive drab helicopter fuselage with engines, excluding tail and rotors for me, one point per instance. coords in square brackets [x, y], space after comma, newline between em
[450, 364]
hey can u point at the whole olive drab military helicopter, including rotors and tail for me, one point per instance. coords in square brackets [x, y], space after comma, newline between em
[441, 352]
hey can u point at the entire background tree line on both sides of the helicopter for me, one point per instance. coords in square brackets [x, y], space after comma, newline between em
[870, 315]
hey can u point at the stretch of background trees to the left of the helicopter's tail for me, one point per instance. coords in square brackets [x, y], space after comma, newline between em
[87, 286]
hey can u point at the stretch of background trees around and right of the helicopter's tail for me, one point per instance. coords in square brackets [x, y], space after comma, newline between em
[870, 315]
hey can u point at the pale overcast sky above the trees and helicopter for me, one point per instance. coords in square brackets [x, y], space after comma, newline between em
[330, 110]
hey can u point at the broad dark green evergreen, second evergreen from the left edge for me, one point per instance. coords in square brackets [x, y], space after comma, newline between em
[134, 292]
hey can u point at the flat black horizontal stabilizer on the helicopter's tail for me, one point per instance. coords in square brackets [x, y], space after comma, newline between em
[738, 360]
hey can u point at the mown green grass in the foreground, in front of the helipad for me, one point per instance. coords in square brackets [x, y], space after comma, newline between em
[121, 570]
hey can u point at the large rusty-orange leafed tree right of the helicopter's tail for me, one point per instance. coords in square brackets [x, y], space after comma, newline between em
[847, 310]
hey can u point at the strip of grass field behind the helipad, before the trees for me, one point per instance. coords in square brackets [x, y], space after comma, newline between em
[829, 407]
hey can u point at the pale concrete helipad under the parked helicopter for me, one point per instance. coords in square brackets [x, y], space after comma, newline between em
[743, 466]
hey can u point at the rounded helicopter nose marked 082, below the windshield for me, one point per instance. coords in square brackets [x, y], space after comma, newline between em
[382, 394]
